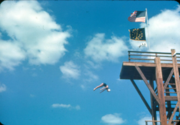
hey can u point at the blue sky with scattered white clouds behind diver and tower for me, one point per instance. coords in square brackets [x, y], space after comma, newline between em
[53, 54]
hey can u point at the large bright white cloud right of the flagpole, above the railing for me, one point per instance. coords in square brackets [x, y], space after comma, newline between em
[163, 31]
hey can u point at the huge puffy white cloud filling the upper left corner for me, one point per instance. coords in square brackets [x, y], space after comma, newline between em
[33, 32]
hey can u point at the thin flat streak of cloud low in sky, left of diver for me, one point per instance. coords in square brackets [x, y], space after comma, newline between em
[68, 106]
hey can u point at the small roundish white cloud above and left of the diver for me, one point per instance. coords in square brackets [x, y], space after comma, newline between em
[70, 70]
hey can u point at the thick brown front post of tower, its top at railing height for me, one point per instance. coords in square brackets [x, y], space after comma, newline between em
[159, 81]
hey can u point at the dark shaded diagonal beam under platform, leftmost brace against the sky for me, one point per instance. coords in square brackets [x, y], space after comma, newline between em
[142, 97]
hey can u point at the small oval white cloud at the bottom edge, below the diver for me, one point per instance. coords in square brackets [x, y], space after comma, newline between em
[112, 119]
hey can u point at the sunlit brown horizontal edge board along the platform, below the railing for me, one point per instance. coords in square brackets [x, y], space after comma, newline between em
[168, 65]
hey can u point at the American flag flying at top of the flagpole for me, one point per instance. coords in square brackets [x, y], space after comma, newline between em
[137, 16]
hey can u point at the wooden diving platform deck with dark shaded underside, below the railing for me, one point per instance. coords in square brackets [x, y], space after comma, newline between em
[128, 70]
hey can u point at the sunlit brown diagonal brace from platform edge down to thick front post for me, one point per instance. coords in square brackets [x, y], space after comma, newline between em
[147, 84]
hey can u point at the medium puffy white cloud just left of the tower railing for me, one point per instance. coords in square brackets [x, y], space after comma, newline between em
[100, 49]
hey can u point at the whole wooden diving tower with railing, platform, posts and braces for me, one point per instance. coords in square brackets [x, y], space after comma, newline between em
[160, 73]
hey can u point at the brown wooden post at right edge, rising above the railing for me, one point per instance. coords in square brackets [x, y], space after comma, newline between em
[176, 75]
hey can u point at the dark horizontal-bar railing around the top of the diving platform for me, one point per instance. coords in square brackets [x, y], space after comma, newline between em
[150, 56]
